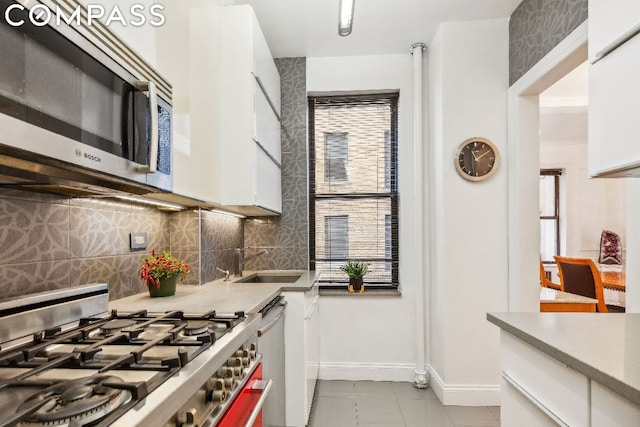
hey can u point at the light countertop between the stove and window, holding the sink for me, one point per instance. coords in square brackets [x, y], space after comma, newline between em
[224, 297]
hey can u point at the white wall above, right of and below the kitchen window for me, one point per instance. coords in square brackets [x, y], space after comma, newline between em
[372, 337]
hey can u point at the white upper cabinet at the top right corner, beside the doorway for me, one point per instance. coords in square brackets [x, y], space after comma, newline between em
[614, 88]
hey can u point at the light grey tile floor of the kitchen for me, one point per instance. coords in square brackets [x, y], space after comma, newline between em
[391, 404]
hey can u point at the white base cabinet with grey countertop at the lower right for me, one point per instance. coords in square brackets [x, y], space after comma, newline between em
[569, 369]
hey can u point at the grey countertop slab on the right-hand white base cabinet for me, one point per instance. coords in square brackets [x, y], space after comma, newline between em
[603, 346]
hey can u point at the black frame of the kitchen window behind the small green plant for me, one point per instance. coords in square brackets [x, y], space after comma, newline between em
[391, 192]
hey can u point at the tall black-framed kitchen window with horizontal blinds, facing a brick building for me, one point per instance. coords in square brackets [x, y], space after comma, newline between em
[353, 186]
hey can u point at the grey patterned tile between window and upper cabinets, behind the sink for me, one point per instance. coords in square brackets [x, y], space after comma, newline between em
[287, 236]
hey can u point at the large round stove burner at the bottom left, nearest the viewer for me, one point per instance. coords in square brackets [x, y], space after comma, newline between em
[76, 402]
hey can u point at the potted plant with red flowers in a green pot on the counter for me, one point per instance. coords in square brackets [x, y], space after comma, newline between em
[162, 272]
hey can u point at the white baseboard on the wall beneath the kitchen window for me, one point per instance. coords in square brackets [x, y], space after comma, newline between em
[349, 371]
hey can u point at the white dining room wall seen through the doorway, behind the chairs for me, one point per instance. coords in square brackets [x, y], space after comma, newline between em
[603, 199]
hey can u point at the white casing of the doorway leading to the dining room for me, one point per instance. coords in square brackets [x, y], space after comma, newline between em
[523, 103]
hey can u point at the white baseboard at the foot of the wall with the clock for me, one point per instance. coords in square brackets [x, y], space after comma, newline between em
[464, 394]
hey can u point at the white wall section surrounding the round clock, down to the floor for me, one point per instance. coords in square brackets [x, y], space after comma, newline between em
[468, 82]
